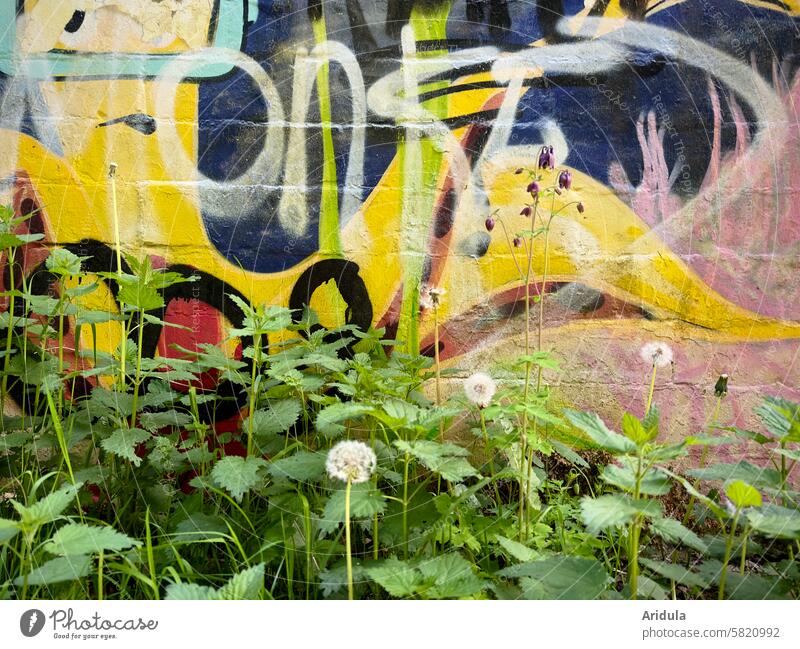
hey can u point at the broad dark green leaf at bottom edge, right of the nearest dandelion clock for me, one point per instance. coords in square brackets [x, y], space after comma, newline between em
[560, 577]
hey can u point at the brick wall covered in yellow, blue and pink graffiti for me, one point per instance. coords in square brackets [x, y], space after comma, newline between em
[345, 153]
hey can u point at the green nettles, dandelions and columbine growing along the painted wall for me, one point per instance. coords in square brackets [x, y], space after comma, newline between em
[350, 472]
